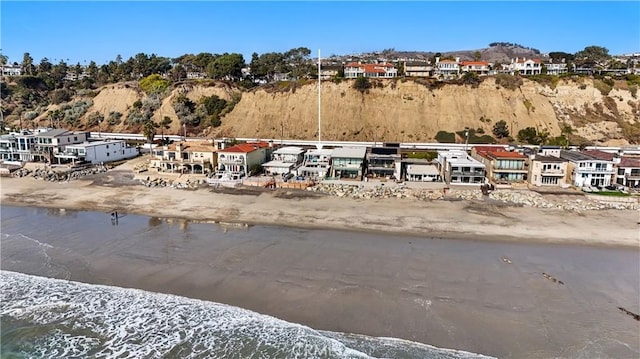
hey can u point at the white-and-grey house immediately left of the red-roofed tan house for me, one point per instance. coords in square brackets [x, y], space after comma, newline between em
[458, 168]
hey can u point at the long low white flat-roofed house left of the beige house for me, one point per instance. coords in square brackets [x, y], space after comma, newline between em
[97, 152]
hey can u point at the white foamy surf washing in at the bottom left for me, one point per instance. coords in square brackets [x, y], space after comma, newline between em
[53, 318]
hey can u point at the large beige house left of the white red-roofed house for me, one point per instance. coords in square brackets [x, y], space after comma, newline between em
[185, 157]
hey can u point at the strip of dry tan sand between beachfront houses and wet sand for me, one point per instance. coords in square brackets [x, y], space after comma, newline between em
[484, 220]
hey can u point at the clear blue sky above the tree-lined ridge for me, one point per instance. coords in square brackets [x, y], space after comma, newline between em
[100, 30]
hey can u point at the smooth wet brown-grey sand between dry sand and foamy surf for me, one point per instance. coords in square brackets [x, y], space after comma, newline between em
[476, 295]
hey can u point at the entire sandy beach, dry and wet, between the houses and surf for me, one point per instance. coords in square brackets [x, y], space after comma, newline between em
[369, 266]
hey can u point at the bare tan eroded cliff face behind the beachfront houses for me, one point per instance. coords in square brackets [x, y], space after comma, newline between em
[392, 110]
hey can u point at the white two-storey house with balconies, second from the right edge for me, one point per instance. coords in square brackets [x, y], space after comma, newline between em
[589, 169]
